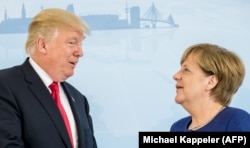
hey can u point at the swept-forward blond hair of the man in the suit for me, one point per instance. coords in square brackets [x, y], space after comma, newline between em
[45, 23]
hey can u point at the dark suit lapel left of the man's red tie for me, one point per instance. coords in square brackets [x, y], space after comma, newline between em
[42, 94]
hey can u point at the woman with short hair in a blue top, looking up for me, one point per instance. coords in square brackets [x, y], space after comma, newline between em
[209, 77]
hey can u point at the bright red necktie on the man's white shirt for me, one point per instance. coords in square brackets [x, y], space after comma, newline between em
[55, 94]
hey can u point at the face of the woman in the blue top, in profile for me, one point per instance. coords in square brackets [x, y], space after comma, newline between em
[191, 82]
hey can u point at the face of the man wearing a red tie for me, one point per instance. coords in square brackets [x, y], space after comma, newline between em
[63, 53]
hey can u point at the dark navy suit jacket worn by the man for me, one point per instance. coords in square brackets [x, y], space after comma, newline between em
[30, 118]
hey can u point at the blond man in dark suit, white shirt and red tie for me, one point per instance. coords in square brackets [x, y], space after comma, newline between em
[29, 116]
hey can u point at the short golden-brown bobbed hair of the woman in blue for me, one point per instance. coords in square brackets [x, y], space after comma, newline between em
[224, 64]
